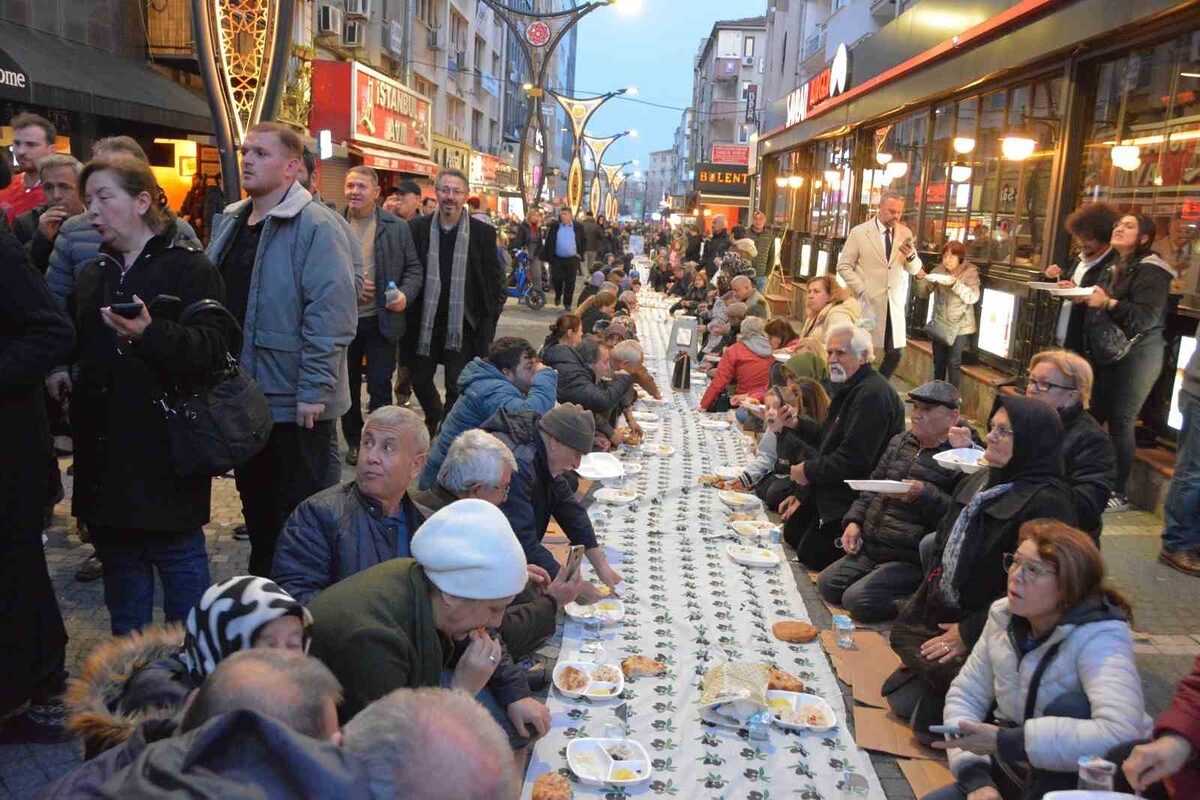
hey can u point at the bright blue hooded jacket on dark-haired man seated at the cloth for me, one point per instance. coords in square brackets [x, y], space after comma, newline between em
[483, 392]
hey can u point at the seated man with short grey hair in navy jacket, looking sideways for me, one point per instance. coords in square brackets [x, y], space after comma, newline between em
[351, 527]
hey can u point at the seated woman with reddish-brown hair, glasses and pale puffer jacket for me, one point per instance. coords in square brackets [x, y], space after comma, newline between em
[1051, 681]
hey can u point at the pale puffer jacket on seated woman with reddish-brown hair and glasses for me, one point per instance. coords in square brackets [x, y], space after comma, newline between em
[1088, 701]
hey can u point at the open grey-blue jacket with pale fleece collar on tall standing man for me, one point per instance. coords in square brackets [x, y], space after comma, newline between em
[303, 311]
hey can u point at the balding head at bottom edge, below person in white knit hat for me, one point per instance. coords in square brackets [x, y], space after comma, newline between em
[431, 744]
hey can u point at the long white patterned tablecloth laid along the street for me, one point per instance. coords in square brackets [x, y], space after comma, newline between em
[689, 607]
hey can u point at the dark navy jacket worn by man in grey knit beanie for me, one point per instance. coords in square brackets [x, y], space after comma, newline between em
[536, 496]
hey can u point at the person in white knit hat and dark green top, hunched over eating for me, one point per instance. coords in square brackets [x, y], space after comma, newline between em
[421, 622]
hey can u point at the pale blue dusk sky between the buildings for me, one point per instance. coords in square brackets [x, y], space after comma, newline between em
[652, 50]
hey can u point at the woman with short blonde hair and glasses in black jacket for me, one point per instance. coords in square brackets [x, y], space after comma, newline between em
[1064, 381]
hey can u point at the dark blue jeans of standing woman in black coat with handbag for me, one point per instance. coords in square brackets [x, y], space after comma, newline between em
[130, 560]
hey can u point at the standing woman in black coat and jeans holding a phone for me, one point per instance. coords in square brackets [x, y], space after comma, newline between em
[142, 516]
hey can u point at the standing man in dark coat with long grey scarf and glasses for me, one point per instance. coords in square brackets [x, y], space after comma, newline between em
[454, 320]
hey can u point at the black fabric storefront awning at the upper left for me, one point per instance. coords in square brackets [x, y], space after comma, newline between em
[46, 71]
